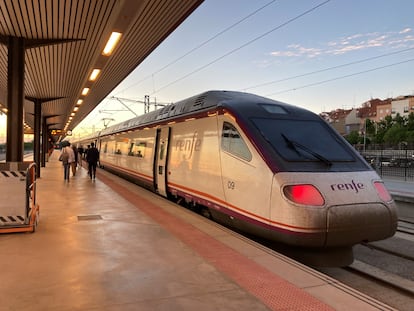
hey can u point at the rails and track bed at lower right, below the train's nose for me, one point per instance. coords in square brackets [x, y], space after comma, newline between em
[383, 270]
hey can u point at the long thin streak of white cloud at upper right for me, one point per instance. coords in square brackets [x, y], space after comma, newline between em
[355, 42]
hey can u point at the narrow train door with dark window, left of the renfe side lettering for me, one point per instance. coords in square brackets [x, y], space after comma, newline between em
[161, 160]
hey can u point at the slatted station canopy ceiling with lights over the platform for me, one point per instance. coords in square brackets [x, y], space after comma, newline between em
[64, 42]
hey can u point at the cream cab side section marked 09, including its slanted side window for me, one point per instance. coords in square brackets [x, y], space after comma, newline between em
[247, 180]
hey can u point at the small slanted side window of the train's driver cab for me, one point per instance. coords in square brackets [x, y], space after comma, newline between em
[232, 142]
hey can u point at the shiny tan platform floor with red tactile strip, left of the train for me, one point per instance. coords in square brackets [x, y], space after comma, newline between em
[106, 244]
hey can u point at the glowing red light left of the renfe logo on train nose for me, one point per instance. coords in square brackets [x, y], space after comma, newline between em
[304, 194]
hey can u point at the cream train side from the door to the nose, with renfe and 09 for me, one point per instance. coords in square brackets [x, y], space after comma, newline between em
[204, 169]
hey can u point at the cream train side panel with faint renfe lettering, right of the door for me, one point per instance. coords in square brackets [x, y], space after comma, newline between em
[194, 170]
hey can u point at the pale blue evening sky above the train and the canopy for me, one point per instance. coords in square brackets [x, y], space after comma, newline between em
[317, 54]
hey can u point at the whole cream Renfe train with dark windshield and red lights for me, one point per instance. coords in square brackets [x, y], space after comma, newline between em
[261, 166]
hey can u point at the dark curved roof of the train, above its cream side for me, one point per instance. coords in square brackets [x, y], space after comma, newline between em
[204, 101]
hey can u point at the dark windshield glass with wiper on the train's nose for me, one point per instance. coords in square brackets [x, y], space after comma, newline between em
[303, 140]
